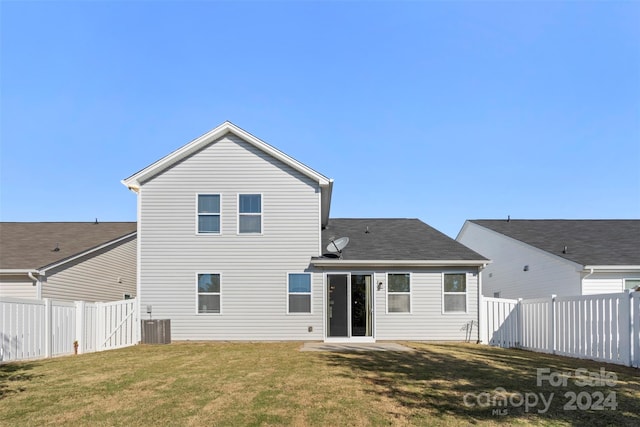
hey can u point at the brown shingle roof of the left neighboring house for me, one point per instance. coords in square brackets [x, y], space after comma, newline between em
[30, 245]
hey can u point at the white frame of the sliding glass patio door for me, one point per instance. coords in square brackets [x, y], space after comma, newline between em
[325, 305]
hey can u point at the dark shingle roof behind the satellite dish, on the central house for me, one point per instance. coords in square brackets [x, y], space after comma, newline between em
[394, 239]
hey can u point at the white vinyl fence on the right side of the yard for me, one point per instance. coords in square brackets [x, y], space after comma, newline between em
[603, 327]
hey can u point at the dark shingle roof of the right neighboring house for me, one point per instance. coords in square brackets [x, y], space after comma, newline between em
[588, 242]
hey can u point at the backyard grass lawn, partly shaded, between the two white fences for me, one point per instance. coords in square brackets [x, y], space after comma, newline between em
[275, 384]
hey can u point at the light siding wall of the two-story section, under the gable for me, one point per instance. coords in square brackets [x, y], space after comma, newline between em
[253, 268]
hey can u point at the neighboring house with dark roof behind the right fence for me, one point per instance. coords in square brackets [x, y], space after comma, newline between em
[538, 258]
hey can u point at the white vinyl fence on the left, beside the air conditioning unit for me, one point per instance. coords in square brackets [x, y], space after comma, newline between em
[32, 329]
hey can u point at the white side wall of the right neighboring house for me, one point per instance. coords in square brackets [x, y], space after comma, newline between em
[547, 274]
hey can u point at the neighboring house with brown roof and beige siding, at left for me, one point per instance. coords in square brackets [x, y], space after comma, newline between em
[74, 261]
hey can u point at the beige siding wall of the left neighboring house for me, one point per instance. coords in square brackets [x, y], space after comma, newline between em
[94, 277]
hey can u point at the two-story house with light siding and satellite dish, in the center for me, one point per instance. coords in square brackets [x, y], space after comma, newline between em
[232, 235]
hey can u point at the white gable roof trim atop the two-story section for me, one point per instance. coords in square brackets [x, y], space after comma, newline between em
[139, 178]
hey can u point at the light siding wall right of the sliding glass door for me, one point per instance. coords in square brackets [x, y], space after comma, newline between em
[426, 320]
